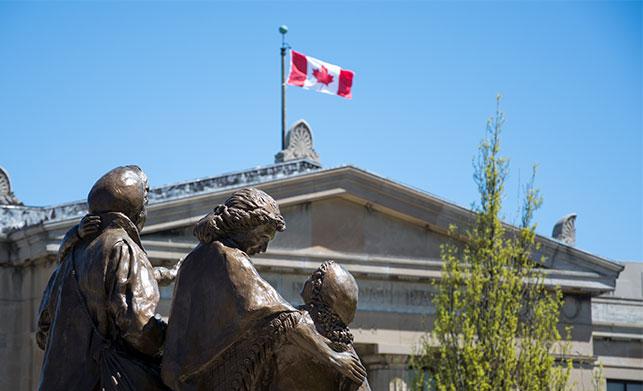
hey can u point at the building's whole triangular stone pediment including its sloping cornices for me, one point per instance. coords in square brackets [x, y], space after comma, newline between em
[379, 226]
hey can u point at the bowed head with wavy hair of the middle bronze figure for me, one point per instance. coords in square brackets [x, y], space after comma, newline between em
[250, 218]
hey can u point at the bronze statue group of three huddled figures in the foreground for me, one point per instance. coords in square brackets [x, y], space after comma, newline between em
[228, 328]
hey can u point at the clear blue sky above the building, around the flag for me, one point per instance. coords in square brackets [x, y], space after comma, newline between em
[191, 89]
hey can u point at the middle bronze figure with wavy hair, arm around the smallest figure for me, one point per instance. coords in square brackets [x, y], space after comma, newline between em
[227, 325]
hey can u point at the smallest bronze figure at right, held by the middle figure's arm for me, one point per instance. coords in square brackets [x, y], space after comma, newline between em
[330, 299]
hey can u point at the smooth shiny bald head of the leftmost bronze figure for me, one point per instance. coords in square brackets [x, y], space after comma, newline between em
[123, 189]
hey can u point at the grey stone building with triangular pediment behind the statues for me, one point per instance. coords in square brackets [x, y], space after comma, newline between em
[387, 234]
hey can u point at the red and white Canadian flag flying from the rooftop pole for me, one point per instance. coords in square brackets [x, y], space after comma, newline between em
[313, 74]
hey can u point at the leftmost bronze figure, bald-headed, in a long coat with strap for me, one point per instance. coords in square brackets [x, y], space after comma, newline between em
[97, 319]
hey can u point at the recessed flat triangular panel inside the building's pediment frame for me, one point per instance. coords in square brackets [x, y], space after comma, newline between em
[333, 226]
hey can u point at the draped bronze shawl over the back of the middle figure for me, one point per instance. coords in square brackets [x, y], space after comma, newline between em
[224, 322]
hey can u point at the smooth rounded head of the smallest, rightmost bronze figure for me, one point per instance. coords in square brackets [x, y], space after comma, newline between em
[332, 286]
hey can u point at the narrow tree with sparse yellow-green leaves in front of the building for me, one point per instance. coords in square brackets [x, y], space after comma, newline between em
[496, 321]
